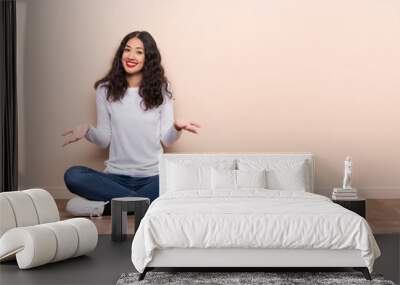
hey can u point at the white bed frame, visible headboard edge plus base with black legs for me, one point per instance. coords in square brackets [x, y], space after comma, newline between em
[246, 258]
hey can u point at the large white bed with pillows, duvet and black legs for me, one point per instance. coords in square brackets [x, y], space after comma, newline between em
[246, 211]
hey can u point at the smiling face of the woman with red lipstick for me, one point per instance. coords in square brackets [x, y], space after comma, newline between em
[133, 56]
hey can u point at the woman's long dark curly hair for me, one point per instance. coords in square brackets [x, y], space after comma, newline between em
[153, 78]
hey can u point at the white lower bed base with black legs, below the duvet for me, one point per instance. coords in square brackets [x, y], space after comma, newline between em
[249, 259]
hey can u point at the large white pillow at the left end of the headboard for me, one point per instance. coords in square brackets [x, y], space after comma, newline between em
[188, 177]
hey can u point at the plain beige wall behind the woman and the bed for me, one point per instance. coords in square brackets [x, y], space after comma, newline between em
[260, 76]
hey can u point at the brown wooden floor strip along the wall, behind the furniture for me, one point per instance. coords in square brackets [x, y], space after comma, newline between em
[383, 216]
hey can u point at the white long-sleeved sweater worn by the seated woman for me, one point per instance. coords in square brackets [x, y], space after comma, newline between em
[134, 135]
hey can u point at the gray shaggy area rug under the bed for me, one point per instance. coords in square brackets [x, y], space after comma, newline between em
[229, 278]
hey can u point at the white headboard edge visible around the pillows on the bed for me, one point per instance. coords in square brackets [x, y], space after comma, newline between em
[165, 157]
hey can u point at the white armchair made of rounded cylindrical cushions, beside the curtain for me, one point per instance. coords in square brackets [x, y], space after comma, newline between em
[31, 232]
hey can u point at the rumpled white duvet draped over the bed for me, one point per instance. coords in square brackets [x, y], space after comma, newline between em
[251, 218]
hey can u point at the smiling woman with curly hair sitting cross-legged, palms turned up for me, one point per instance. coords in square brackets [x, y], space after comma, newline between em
[134, 118]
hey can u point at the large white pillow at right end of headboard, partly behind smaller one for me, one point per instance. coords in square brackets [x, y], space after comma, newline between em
[292, 175]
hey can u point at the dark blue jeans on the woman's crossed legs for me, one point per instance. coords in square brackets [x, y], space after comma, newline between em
[99, 186]
